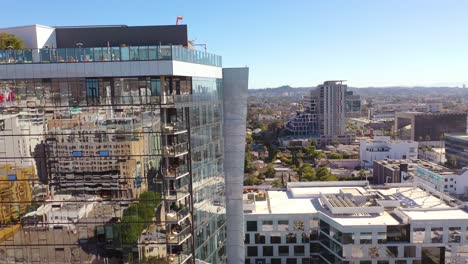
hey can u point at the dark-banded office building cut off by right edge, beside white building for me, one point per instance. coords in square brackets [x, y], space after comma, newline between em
[456, 149]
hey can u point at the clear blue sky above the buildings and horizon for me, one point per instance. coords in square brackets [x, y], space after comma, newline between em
[300, 43]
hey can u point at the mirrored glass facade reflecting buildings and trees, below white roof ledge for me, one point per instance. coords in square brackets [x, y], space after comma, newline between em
[112, 169]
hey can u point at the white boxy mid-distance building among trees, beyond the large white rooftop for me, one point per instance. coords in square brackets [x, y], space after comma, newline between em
[383, 147]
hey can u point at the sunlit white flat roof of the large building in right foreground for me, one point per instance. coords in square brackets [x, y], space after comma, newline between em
[359, 204]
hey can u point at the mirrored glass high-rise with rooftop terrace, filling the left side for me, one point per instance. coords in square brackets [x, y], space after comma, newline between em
[112, 146]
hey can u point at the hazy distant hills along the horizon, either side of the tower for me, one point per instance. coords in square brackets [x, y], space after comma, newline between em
[396, 91]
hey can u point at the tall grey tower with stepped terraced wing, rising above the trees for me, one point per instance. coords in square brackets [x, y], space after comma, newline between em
[324, 117]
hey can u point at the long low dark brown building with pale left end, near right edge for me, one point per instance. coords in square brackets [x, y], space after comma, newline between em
[420, 126]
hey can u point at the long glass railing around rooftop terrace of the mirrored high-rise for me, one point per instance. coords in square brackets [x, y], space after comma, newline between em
[107, 54]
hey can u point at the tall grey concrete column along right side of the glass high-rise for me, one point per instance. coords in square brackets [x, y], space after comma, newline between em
[235, 85]
